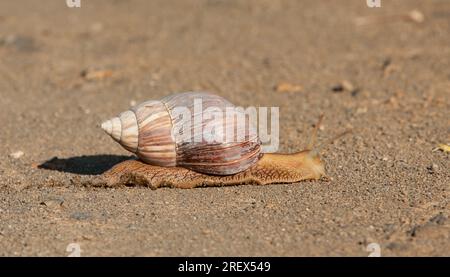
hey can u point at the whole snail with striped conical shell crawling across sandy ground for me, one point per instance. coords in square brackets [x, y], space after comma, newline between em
[184, 159]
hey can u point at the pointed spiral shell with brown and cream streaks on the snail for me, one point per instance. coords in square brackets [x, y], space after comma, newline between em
[151, 130]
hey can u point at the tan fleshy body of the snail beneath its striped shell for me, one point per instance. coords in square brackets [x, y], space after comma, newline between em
[272, 168]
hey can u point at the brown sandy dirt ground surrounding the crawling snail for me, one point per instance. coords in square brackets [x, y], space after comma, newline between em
[64, 70]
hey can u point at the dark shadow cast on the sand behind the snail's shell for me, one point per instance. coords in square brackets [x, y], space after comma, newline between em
[84, 165]
